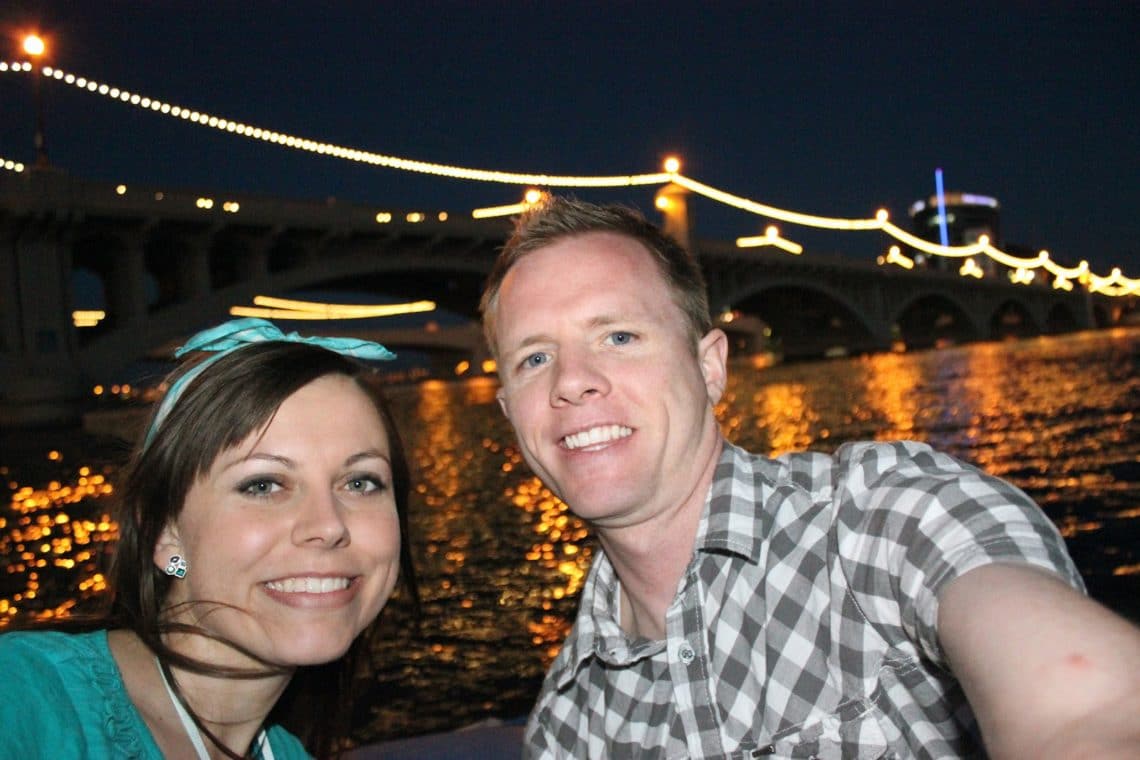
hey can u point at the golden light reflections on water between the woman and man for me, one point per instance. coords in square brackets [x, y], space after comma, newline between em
[460, 525]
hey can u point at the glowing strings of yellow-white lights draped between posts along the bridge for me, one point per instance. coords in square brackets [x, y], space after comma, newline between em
[1115, 284]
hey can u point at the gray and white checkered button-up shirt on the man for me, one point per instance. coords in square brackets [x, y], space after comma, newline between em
[805, 624]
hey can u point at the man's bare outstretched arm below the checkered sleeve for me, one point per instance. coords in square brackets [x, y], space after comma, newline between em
[1049, 673]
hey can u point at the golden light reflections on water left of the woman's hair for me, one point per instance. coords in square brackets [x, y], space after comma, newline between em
[40, 540]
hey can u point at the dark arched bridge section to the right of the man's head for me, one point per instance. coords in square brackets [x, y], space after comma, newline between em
[819, 305]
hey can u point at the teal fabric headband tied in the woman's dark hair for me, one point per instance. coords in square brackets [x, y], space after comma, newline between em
[238, 333]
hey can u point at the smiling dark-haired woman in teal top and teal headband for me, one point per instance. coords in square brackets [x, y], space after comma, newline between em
[263, 527]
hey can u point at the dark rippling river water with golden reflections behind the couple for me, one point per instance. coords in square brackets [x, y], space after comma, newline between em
[501, 560]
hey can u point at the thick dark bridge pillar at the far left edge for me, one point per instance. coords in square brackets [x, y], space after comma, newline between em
[39, 380]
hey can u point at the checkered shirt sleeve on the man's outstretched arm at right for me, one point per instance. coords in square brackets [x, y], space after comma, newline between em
[911, 520]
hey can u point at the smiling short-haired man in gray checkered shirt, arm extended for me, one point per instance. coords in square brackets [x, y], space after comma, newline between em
[886, 601]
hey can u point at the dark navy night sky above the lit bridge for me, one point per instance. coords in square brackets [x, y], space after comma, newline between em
[828, 109]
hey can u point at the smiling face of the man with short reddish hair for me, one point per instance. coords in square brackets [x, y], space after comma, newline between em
[610, 405]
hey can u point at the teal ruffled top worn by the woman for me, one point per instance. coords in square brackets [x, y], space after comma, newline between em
[62, 697]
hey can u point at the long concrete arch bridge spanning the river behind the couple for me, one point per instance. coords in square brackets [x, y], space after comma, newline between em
[173, 261]
